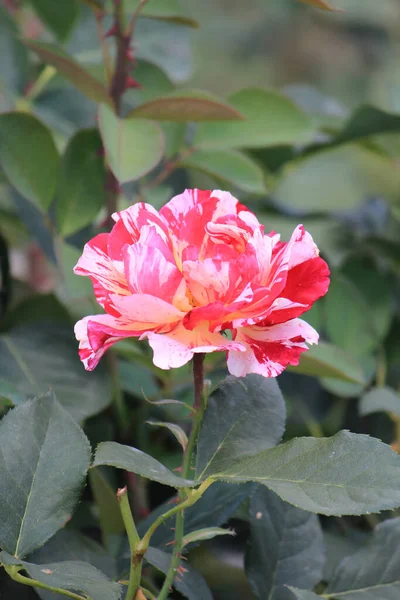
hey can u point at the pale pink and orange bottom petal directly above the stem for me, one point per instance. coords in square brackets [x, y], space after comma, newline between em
[176, 348]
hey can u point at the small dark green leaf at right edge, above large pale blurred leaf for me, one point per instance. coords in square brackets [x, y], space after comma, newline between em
[366, 121]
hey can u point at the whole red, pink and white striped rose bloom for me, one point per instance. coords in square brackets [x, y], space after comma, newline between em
[199, 268]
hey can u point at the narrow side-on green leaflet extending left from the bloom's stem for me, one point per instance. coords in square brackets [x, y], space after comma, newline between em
[136, 461]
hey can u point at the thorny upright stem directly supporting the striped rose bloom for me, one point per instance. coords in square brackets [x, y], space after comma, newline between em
[199, 406]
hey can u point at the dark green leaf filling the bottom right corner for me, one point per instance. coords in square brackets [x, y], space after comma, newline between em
[373, 571]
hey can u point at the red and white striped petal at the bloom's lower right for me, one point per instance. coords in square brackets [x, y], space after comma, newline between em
[269, 350]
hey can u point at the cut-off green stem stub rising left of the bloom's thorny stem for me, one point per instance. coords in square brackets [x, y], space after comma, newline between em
[133, 539]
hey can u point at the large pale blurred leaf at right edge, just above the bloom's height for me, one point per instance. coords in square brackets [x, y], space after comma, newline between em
[347, 175]
